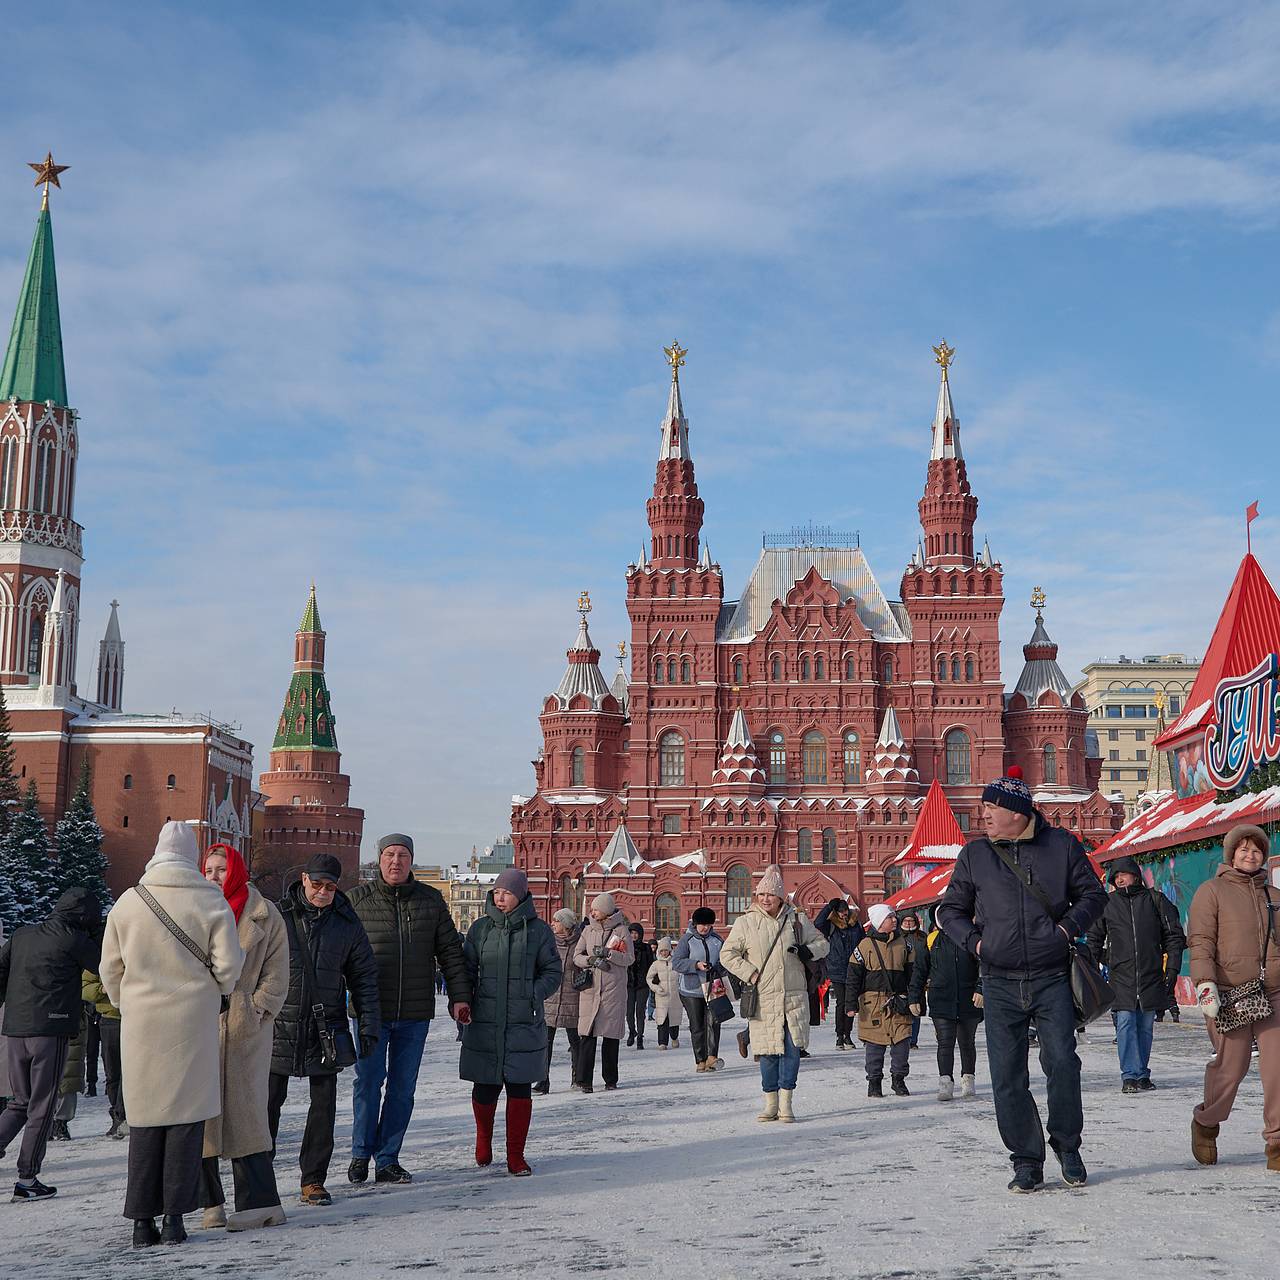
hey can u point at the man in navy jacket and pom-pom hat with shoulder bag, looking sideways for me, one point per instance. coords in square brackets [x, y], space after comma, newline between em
[1025, 956]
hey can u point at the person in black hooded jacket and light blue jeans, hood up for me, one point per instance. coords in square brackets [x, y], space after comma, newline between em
[1141, 941]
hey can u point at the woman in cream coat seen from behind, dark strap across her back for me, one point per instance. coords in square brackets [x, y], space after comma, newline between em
[170, 1005]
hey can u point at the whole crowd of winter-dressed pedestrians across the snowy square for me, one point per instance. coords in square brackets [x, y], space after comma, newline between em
[208, 1000]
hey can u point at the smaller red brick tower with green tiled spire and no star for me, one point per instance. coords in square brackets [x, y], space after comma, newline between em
[307, 796]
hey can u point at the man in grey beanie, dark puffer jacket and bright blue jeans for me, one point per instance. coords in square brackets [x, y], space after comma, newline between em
[412, 931]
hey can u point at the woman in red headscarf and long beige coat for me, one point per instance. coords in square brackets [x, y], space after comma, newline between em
[241, 1132]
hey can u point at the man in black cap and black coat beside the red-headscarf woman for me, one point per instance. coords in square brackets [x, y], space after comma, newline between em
[319, 918]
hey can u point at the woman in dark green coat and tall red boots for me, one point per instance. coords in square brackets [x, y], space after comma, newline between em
[514, 964]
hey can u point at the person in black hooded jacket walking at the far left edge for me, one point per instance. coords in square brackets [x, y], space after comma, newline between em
[42, 967]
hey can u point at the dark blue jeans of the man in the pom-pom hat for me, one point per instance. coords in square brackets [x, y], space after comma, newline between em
[1009, 1005]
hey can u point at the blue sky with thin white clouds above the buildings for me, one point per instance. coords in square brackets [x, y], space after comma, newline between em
[380, 298]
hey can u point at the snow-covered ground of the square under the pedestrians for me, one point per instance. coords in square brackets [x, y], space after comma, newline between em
[671, 1176]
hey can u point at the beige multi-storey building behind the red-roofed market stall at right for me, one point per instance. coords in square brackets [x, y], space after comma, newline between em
[1130, 702]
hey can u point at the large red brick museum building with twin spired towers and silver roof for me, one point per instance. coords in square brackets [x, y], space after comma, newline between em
[799, 724]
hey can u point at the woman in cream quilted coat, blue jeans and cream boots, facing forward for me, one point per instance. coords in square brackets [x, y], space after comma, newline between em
[781, 1026]
